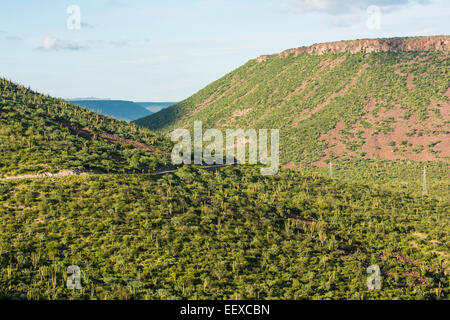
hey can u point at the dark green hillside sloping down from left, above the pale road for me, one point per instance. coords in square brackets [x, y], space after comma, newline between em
[40, 134]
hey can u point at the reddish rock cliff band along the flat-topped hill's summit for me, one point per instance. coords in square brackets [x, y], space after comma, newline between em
[439, 43]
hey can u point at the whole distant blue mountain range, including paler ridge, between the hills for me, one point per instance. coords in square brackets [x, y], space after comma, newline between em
[121, 109]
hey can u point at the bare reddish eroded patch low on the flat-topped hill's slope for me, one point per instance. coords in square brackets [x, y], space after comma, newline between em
[410, 138]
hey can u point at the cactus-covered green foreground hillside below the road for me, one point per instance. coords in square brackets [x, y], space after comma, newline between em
[229, 234]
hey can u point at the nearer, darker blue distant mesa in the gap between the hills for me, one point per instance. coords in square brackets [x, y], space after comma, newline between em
[121, 110]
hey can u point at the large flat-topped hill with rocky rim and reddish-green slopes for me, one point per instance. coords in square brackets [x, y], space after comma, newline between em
[379, 99]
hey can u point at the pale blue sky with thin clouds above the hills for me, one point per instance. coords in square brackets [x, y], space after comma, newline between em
[153, 50]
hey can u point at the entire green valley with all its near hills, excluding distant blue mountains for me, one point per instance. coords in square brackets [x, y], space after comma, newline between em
[78, 188]
